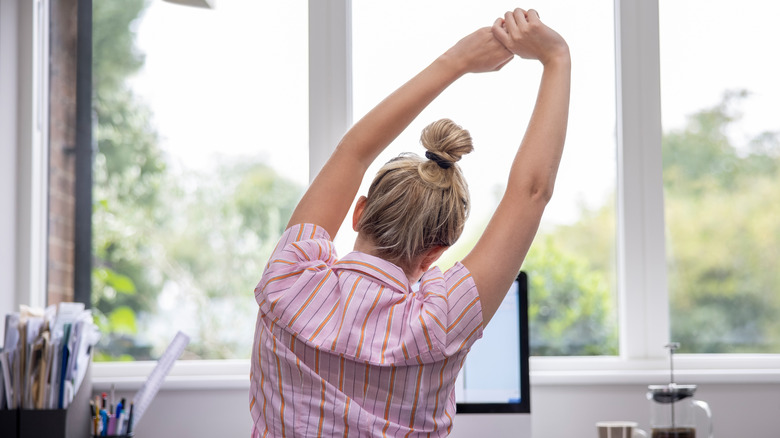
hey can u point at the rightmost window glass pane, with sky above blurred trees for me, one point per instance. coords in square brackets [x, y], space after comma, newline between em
[721, 151]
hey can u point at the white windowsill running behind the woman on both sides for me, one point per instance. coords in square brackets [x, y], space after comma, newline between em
[234, 374]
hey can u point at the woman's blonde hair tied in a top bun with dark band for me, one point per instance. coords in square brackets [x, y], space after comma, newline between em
[415, 204]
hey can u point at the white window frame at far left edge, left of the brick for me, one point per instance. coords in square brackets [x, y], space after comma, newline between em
[24, 136]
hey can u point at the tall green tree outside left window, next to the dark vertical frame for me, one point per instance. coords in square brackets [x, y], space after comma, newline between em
[127, 173]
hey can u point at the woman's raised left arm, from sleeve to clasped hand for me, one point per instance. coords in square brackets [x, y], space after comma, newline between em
[329, 197]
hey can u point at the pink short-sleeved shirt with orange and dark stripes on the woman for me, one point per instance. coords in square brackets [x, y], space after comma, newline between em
[345, 347]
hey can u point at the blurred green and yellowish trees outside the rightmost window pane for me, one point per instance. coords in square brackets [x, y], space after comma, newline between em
[724, 233]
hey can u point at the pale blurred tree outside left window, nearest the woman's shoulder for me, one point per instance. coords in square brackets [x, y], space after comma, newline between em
[214, 251]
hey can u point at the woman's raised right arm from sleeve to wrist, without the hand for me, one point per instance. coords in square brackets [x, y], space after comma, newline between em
[513, 226]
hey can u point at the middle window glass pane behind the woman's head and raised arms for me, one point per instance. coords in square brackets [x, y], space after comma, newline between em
[571, 265]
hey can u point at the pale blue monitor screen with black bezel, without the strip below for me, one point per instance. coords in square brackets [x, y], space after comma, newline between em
[494, 377]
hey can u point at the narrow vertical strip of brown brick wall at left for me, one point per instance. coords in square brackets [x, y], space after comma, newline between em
[62, 138]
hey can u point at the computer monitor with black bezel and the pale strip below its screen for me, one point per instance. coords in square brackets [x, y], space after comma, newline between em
[492, 389]
